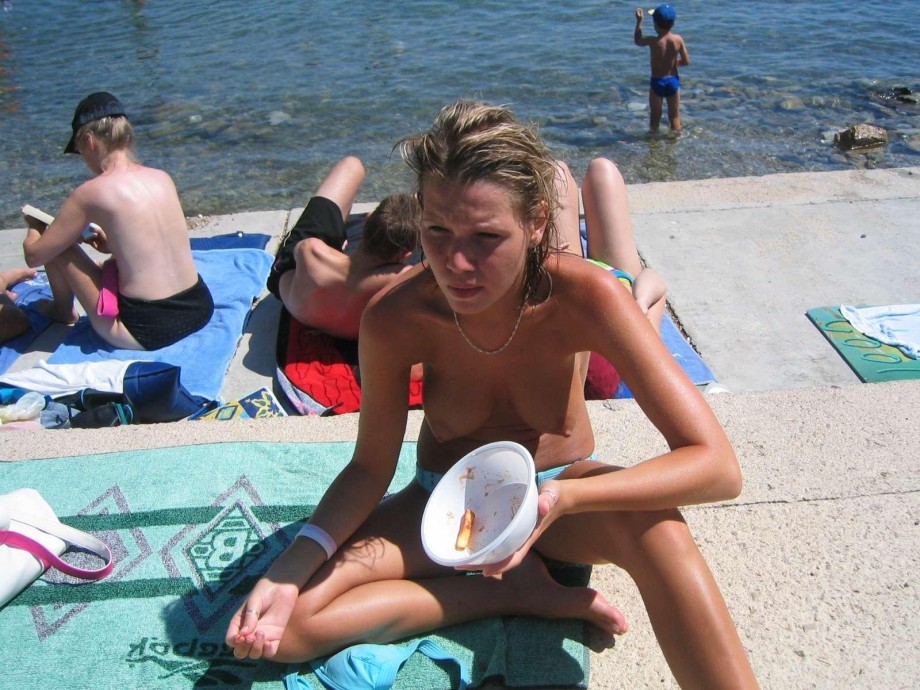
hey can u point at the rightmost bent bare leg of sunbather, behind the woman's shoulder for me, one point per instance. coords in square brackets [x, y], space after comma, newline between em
[610, 234]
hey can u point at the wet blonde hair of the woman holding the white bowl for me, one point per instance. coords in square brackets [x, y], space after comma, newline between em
[475, 142]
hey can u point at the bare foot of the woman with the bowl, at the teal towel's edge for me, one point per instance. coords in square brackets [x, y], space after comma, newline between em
[546, 598]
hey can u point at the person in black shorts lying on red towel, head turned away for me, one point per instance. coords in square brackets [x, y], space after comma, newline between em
[318, 283]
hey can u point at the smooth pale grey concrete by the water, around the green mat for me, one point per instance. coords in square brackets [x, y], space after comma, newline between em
[745, 258]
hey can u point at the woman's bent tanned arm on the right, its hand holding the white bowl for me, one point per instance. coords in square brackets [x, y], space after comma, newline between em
[600, 315]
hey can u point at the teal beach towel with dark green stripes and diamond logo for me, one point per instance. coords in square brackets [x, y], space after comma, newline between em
[191, 528]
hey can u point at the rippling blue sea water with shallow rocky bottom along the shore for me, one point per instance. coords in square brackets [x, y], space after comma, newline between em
[249, 103]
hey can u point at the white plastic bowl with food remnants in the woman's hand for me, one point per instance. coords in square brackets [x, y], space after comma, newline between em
[497, 482]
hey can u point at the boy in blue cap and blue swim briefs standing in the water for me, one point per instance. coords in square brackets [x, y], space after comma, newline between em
[667, 52]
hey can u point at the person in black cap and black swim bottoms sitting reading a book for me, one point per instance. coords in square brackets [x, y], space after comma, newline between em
[148, 294]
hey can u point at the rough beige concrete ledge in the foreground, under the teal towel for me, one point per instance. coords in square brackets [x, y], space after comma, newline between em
[816, 558]
